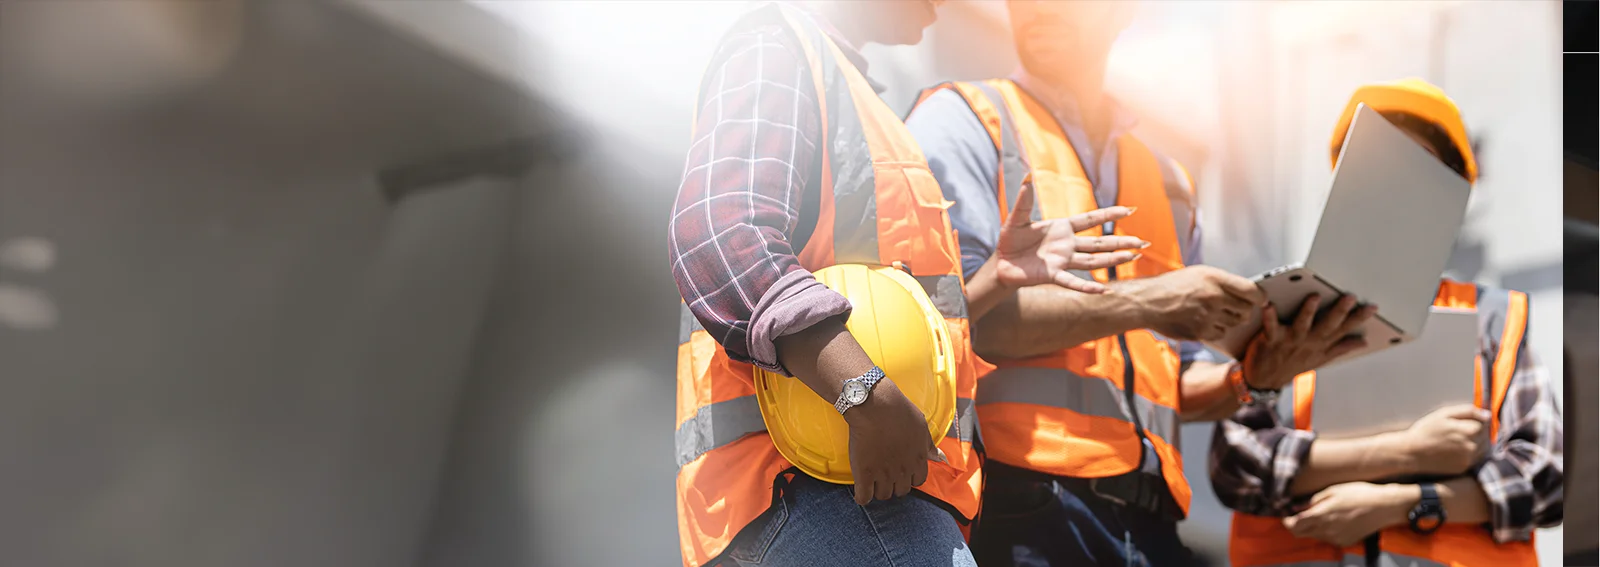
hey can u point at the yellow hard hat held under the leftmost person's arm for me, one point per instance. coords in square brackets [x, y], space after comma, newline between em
[903, 334]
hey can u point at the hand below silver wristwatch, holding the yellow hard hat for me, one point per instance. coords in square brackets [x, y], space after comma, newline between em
[890, 446]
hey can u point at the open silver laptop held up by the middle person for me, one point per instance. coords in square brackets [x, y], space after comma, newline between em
[1385, 236]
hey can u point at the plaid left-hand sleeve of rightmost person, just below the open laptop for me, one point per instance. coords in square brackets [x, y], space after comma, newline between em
[1255, 459]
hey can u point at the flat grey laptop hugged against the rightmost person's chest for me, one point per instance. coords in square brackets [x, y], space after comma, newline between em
[1388, 392]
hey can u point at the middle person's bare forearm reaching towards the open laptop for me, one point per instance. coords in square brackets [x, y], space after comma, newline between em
[1044, 320]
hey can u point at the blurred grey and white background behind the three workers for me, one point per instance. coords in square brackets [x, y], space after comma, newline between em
[385, 283]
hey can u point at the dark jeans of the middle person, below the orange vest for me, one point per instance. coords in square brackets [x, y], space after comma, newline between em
[1034, 521]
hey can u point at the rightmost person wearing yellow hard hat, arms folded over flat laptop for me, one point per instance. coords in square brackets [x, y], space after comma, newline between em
[1438, 494]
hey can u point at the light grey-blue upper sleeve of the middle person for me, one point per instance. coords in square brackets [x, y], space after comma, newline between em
[967, 166]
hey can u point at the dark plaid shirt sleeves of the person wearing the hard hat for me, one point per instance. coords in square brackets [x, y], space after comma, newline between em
[1255, 457]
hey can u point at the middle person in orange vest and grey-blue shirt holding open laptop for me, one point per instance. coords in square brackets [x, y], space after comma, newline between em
[1081, 414]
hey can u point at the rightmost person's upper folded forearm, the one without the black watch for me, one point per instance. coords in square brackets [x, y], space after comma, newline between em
[1350, 460]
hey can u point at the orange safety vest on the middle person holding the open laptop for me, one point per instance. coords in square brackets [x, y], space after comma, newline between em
[1082, 412]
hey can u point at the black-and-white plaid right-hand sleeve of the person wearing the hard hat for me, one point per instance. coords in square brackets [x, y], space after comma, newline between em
[1524, 475]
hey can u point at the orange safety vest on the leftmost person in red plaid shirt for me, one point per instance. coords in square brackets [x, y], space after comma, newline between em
[881, 206]
